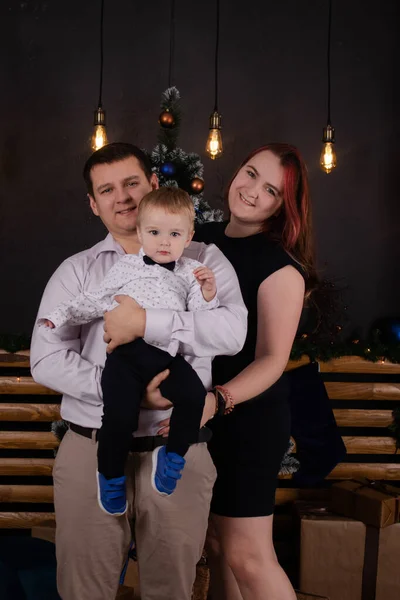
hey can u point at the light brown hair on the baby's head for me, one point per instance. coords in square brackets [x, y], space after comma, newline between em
[171, 199]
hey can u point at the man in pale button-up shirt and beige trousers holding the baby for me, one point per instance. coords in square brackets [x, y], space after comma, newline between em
[169, 532]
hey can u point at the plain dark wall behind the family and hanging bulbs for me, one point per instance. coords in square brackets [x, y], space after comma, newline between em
[272, 87]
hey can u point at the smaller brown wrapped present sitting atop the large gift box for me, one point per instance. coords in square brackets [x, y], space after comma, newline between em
[371, 502]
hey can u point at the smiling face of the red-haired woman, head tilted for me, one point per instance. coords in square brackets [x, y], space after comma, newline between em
[256, 192]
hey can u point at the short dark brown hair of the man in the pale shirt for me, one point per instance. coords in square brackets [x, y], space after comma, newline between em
[113, 153]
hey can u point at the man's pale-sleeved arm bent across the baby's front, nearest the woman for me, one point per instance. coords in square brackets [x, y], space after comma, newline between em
[207, 332]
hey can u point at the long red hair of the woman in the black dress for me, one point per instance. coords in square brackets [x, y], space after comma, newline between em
[292, 227]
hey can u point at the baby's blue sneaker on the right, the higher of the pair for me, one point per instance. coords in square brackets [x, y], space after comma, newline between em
[166, 470]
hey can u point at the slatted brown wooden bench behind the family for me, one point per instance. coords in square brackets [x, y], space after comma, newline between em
[363, 396]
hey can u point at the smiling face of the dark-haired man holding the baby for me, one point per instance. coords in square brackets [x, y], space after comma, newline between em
[118, 189]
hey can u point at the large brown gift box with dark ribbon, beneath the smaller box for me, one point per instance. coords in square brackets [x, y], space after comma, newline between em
[344, 559]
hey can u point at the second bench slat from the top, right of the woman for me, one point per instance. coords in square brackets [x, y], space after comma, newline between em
[362, 391]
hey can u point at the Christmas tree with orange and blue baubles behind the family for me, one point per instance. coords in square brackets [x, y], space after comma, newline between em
[175, 167]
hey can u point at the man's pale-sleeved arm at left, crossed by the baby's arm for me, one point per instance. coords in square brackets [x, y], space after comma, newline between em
[55, 354]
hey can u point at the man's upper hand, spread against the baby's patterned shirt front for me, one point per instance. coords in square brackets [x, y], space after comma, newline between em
[124, 323]
